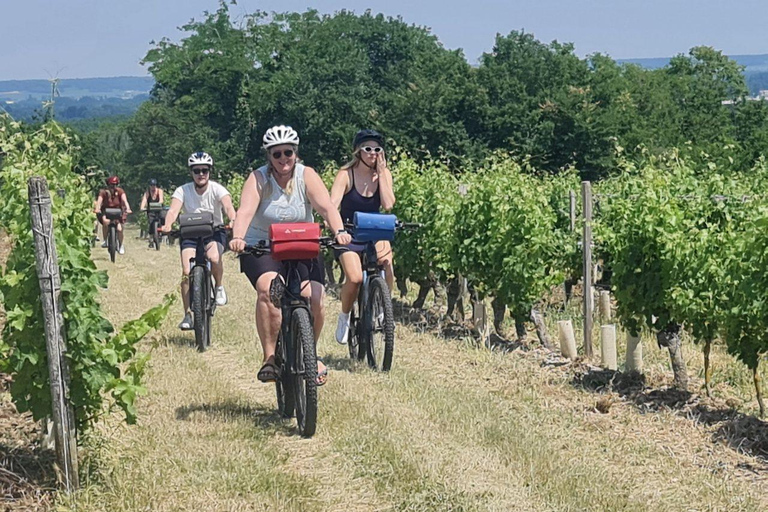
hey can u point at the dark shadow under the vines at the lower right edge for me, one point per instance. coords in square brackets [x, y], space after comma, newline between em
[743, 433]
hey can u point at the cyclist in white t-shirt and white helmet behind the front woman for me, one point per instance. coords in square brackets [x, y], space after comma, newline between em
[201, 195]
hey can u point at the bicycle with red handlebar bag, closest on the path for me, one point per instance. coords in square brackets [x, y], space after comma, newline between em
[295, 353]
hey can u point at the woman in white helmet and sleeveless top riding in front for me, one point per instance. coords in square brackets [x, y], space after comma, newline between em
[283, 190]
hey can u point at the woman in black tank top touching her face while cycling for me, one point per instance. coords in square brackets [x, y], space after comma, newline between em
[362, 185]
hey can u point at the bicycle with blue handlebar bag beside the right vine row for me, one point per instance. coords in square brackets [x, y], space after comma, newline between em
[372, 318]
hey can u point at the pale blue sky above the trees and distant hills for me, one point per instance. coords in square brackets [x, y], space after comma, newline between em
[88, 38]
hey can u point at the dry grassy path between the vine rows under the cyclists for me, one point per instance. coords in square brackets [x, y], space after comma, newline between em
[450, 428]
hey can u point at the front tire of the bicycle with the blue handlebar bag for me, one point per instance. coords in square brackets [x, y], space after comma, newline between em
[381, 340]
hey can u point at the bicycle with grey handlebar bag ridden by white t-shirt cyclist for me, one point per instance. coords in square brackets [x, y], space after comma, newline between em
[202, 295]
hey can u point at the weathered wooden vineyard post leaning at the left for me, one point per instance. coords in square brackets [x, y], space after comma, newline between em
[50, 290]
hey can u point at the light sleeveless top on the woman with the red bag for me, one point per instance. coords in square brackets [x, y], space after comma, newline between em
[279, 207]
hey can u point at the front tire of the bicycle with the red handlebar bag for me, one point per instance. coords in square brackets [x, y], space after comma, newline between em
[305, 378]
